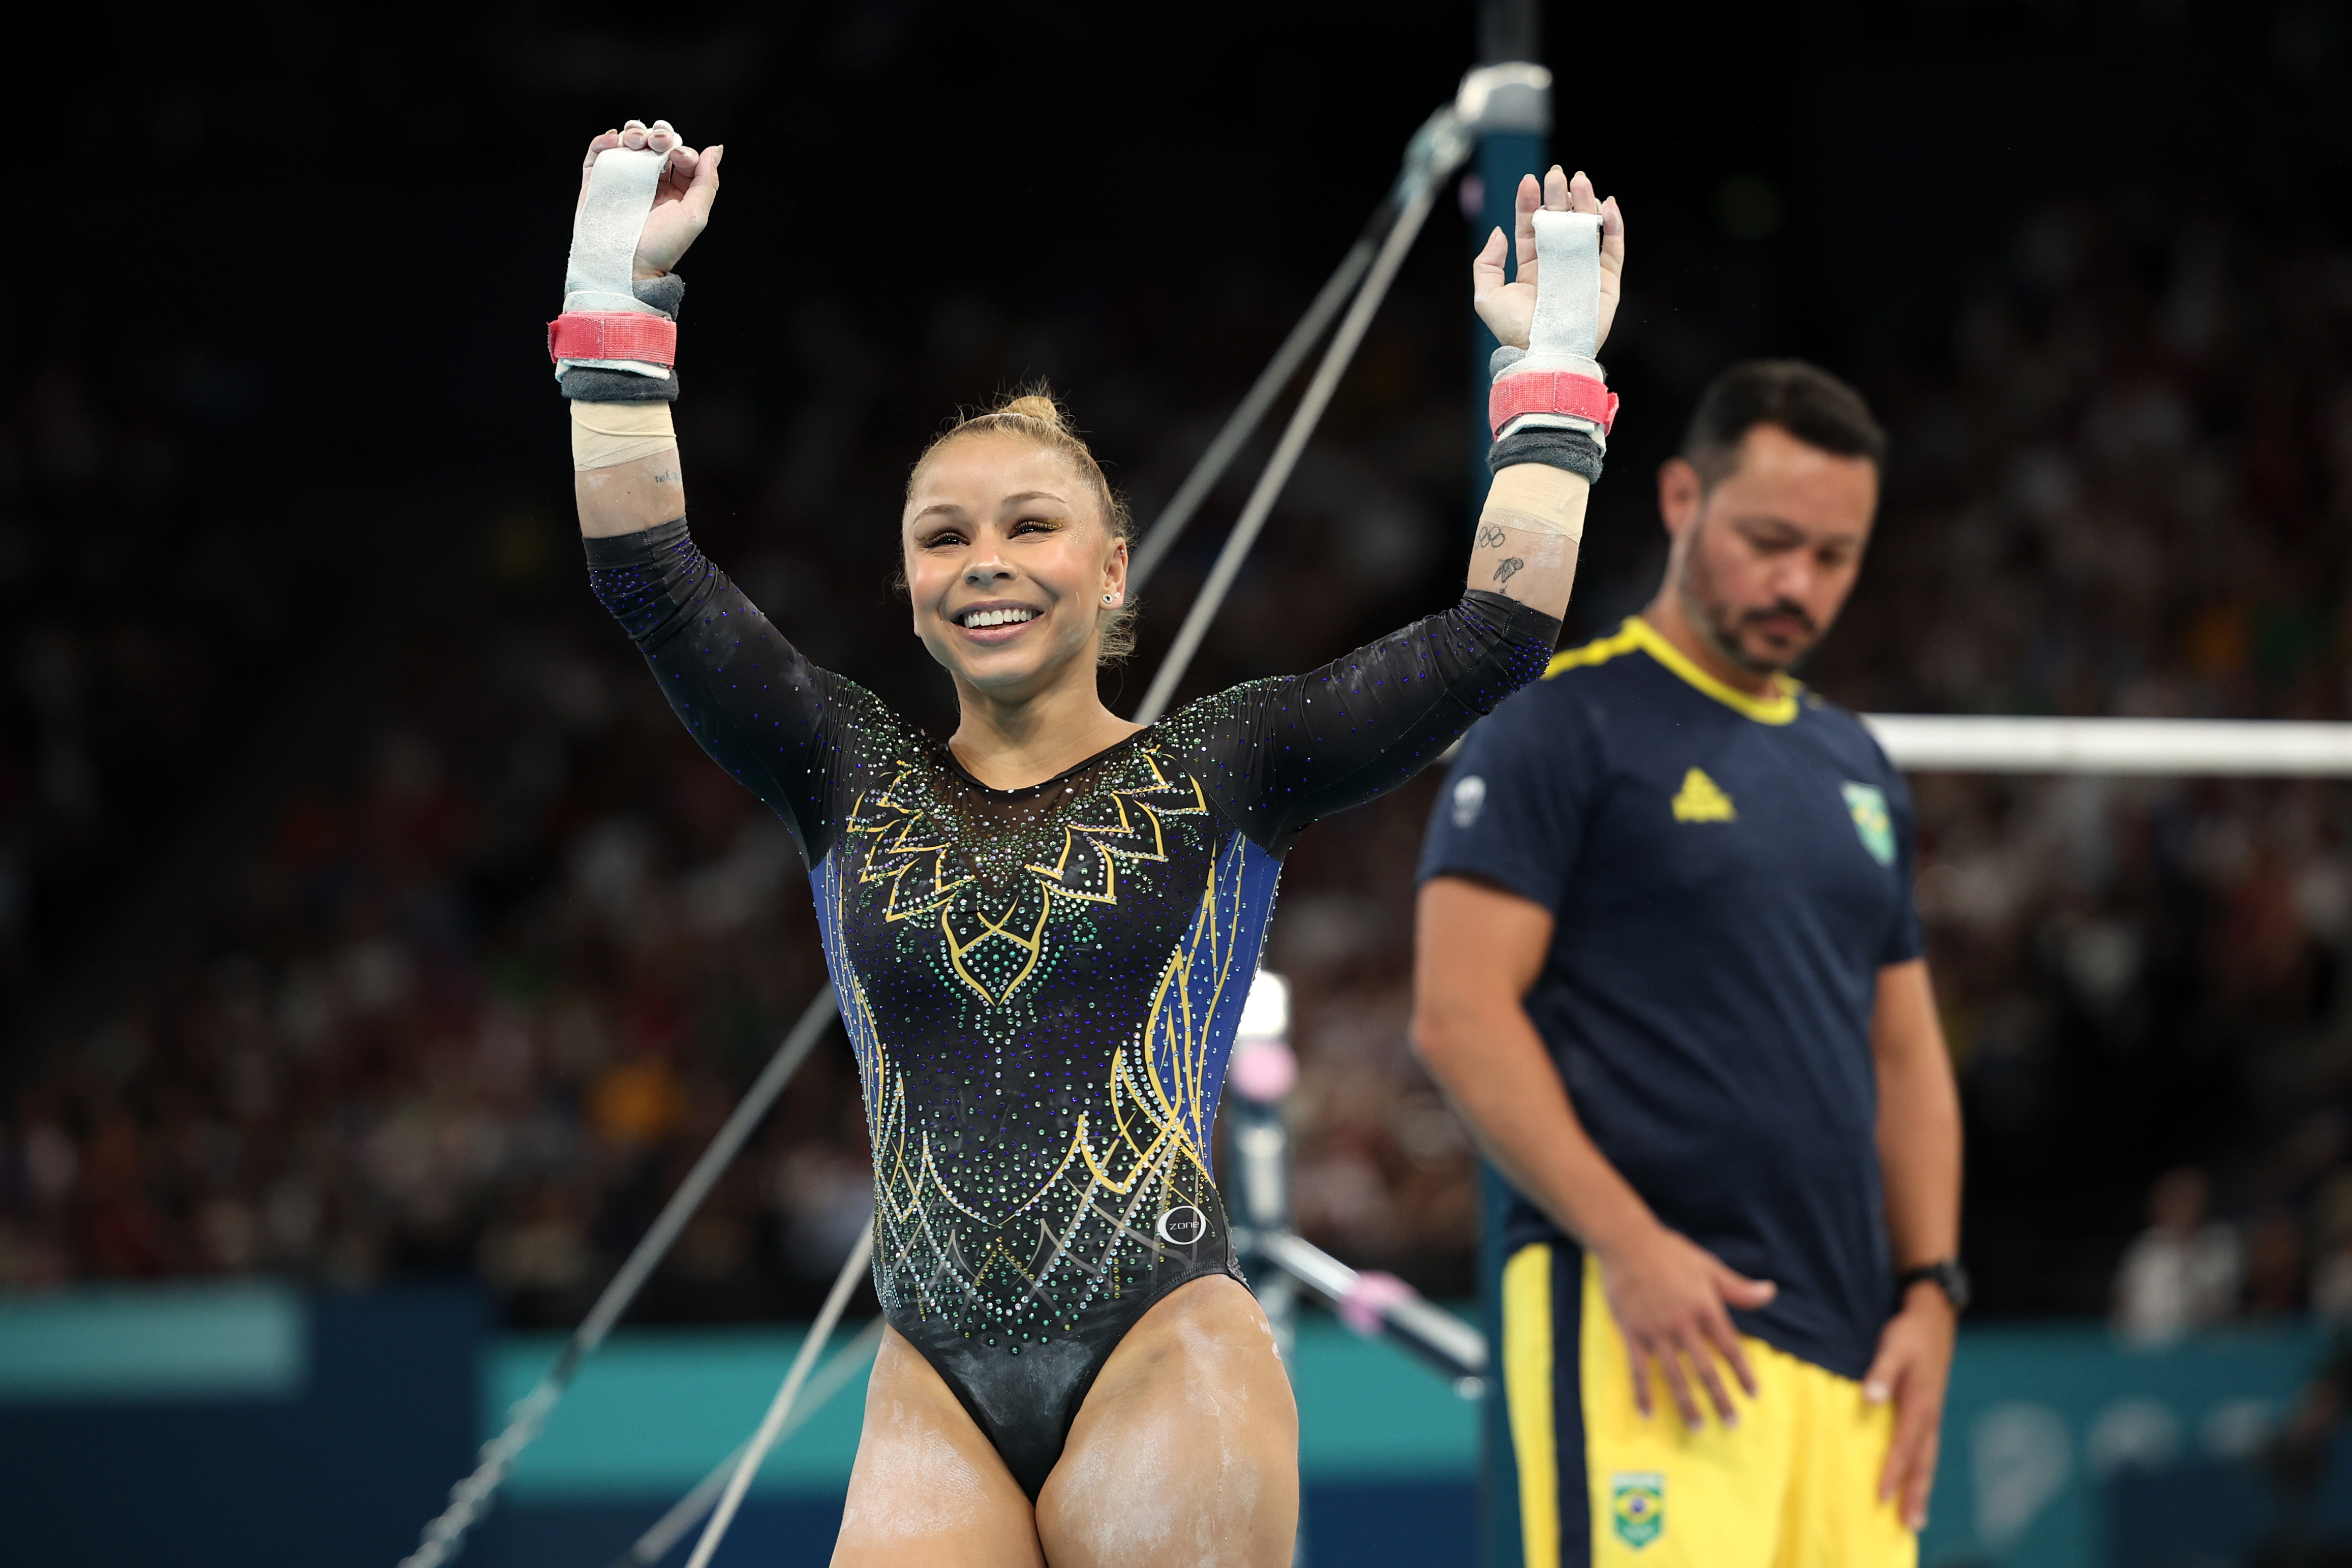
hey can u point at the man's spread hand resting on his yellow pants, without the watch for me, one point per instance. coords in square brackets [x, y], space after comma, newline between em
[1671, 1301]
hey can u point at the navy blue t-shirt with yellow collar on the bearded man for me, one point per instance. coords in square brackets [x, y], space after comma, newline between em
[1728, 876]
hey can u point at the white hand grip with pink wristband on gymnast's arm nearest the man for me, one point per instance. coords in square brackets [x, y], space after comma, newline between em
[1558, 382]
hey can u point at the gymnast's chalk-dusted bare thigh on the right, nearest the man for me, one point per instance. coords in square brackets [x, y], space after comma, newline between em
[1187, 1449]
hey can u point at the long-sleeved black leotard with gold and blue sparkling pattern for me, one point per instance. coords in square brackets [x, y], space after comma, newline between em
[1043, 984]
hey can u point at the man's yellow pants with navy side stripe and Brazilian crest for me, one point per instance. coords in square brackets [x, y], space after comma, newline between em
[1601, 1485]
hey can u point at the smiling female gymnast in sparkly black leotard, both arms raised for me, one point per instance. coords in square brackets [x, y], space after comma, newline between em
[1043, 932]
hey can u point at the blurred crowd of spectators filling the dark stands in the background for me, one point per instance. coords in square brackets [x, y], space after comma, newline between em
[502, 965]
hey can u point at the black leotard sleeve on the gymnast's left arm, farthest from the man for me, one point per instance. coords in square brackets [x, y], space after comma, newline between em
[784, 728]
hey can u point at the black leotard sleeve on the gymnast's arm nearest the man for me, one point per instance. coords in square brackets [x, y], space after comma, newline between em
[1281, 753]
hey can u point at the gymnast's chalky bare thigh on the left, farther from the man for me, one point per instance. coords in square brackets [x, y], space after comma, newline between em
[928, 1489]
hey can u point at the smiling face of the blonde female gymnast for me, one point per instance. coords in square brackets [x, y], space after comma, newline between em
[1008, 563]
